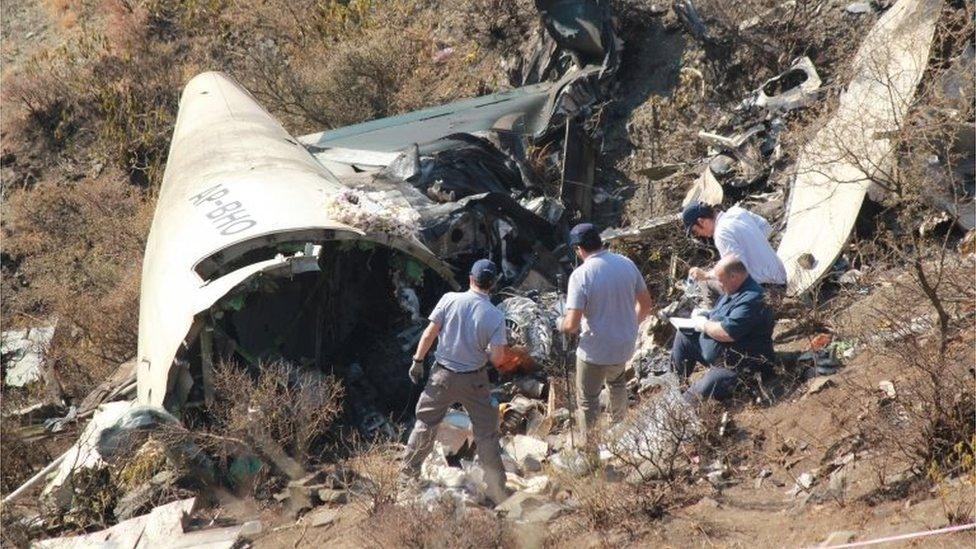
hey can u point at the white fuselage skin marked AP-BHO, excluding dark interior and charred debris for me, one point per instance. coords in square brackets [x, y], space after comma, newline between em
[237, 186]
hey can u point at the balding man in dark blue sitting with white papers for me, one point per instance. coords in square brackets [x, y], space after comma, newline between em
[735, 337]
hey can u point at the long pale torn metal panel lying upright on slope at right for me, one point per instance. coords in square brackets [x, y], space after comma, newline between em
[835, 168]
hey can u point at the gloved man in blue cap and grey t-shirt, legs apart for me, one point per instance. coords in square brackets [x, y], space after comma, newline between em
[466, 325]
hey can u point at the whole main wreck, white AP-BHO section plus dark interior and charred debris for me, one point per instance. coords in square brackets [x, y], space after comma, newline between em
[327, 250]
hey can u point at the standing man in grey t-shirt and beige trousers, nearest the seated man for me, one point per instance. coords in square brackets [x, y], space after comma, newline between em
[606, 300]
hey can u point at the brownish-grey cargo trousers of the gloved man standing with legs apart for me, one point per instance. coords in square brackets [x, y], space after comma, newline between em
[473, 391]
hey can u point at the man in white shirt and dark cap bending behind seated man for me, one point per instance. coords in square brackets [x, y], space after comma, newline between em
[737, 232]
